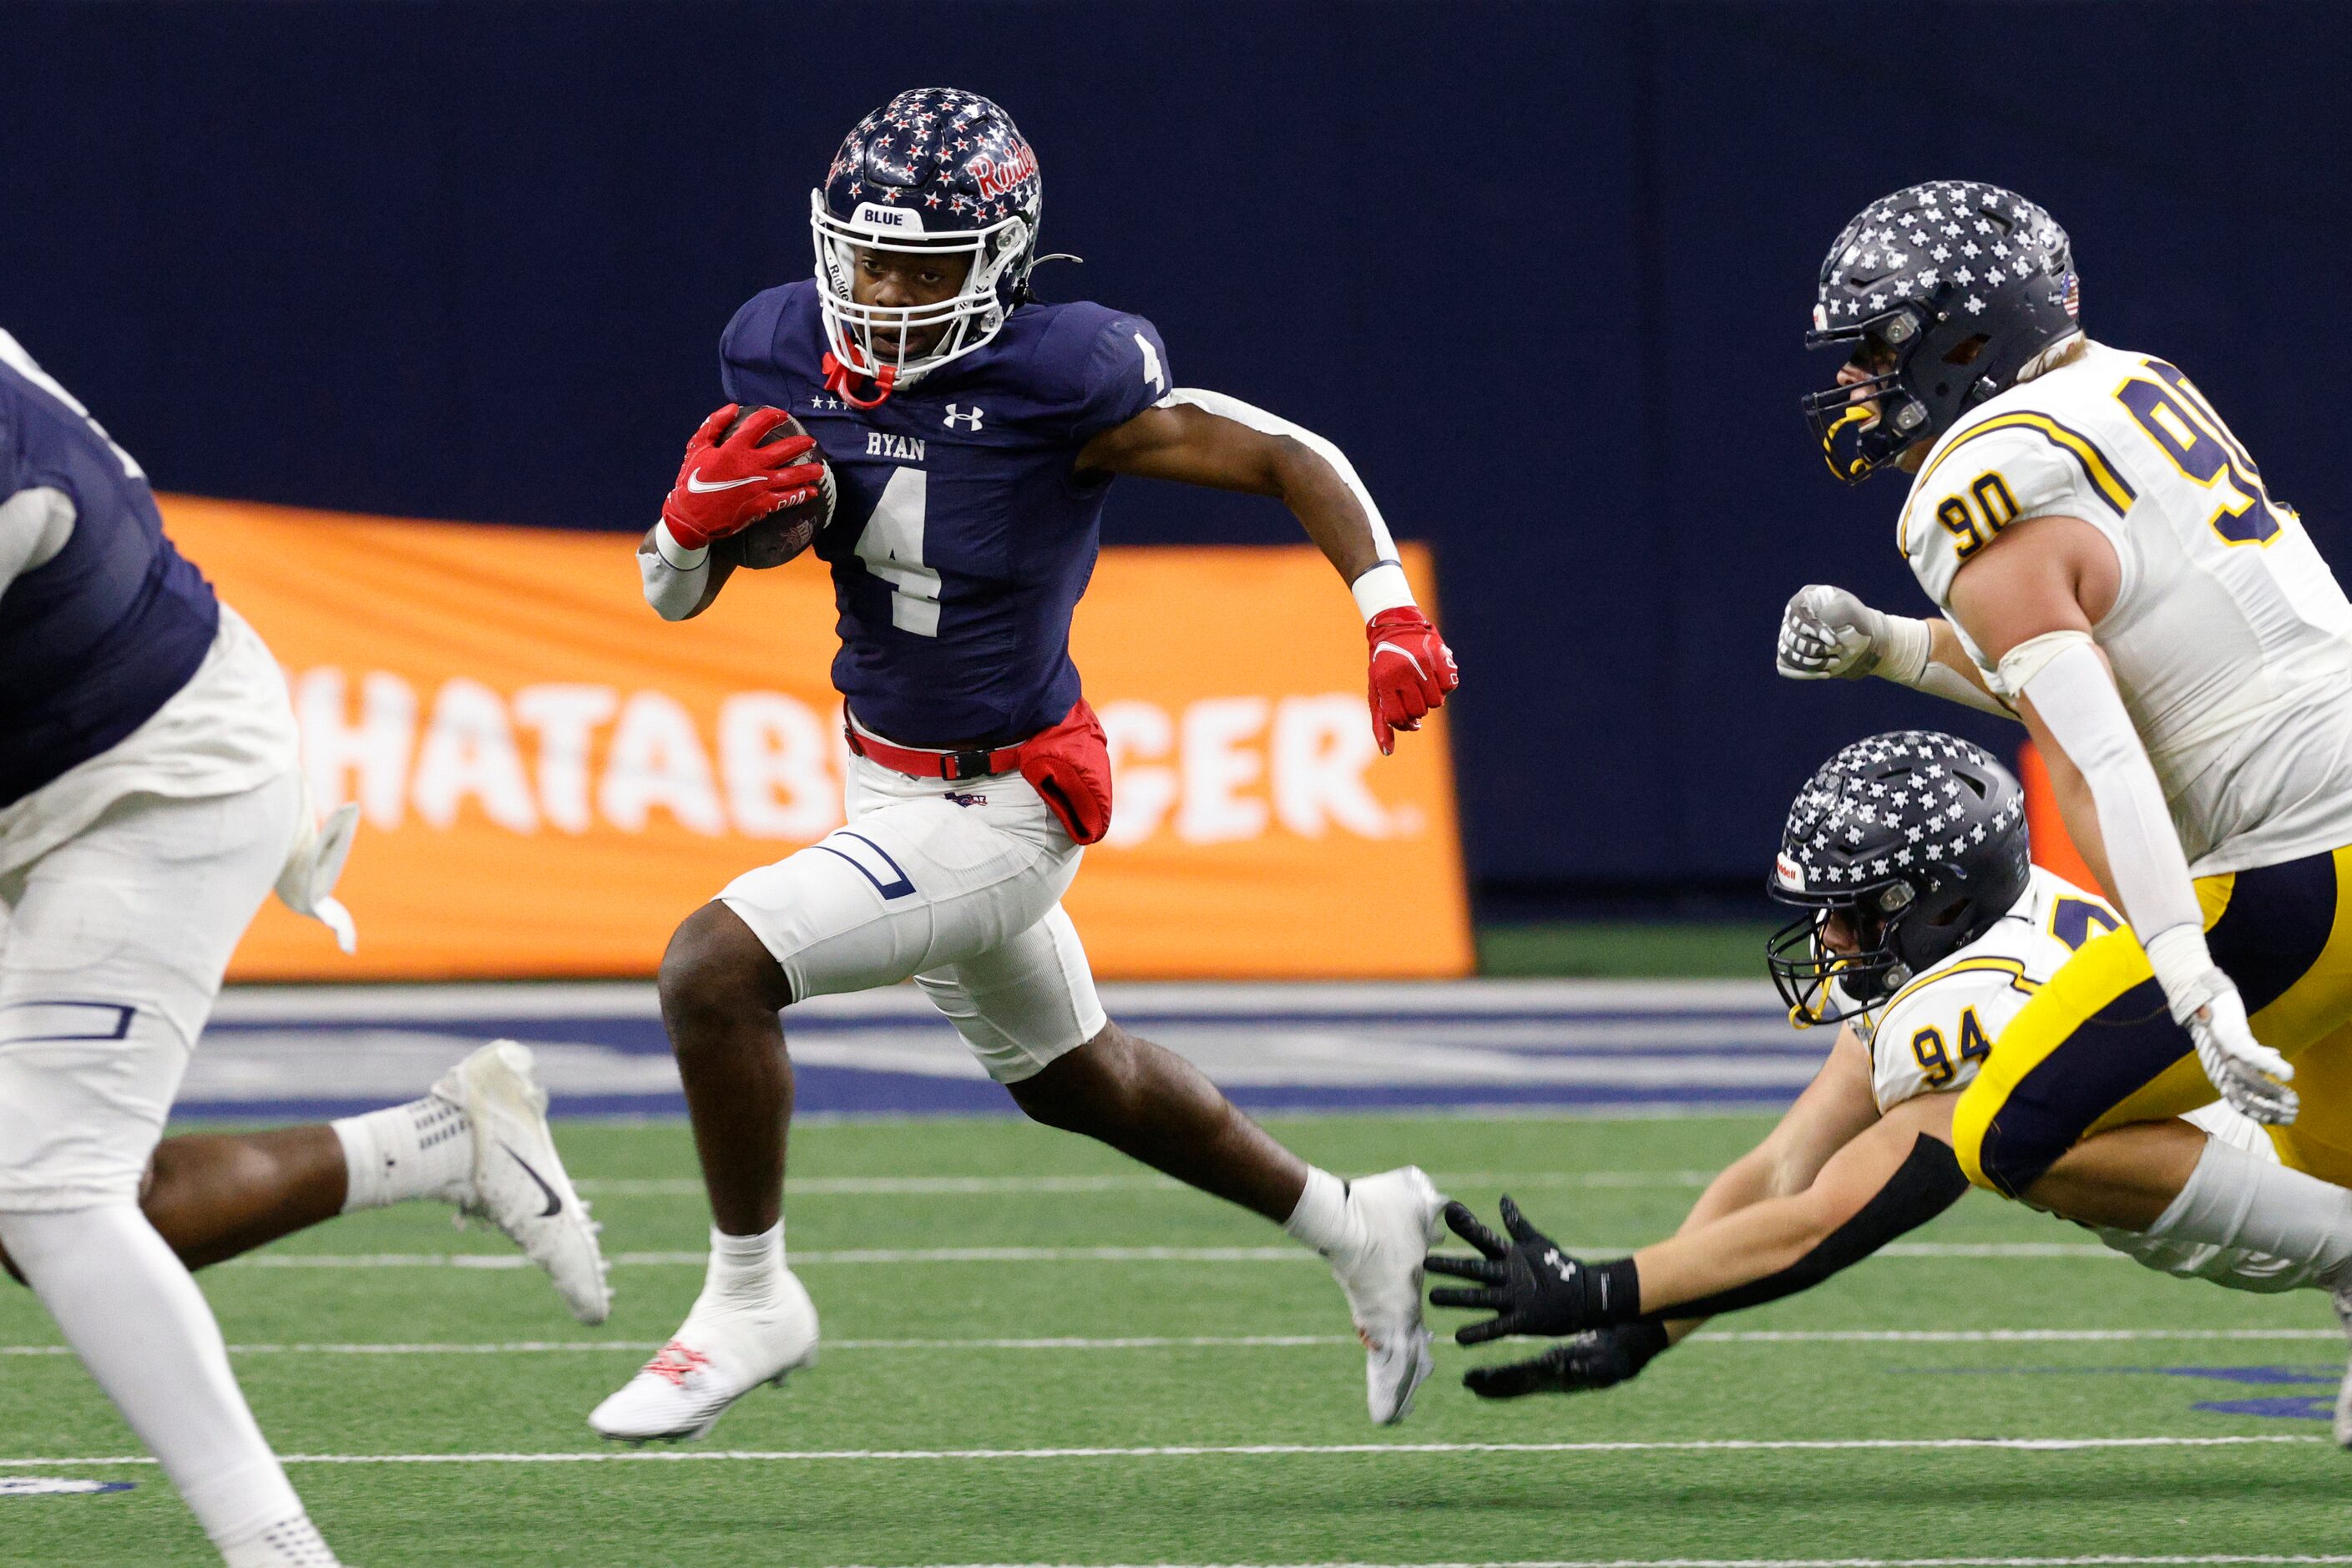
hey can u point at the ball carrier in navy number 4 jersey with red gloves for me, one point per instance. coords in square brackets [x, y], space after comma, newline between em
[973, 436]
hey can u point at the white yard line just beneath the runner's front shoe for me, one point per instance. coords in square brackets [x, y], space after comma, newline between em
[1212, 1452]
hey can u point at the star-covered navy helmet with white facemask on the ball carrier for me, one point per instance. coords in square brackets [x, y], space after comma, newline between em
[930, 173]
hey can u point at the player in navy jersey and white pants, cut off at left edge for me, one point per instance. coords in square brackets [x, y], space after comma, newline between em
[152, 798]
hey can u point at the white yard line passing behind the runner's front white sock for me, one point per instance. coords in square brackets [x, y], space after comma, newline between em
[1050, 1254]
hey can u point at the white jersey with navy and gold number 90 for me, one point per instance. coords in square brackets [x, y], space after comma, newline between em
[2231, 638]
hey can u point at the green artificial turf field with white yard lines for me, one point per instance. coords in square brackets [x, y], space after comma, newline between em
[1208, 1409]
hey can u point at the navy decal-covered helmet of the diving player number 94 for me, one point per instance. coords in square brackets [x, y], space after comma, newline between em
[1916, 843]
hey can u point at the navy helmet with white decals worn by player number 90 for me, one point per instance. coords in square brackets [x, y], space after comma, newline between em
[1942, 293]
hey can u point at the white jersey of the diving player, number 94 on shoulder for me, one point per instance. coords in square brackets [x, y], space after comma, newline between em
[1935, 1033]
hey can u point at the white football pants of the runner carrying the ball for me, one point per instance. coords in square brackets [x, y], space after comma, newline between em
[956, 885]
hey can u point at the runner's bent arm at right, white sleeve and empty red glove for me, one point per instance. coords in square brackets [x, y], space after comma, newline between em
[1224, 443]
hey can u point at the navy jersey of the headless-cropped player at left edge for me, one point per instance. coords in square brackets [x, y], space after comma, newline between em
[95, 641]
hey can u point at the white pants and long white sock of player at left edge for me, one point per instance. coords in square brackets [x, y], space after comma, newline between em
[112, 960]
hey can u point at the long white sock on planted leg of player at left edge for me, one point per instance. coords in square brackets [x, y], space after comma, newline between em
[145, 1332]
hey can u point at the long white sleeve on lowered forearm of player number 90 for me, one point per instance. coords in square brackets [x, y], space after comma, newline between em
[2069, 685]
